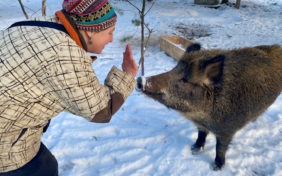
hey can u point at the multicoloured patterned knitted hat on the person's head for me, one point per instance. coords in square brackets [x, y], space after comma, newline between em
[91, 15]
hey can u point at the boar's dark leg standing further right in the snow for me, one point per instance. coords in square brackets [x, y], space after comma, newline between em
[221, 147]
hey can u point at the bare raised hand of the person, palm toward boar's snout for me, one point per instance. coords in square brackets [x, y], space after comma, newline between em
[128, 64]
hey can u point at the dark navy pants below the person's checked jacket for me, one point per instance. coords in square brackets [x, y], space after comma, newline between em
[43, 164]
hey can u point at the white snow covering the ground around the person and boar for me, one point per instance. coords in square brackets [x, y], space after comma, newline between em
[146, 138]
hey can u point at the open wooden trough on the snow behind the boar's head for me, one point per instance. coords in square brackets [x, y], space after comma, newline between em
[174, 46]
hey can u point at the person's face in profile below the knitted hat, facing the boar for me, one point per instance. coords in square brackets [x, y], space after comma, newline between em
[99, 40]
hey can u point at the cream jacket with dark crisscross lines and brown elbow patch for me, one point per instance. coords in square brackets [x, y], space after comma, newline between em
[42, 73]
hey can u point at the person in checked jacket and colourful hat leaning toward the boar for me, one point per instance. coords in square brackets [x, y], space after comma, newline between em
[45, 69]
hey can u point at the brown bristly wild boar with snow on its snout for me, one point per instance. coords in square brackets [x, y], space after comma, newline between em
[219, 90]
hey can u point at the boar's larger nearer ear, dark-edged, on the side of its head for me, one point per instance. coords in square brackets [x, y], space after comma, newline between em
[214, 69]
